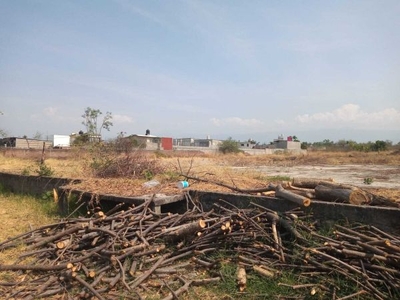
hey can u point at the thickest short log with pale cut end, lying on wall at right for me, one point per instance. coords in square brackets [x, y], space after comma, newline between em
[352, 196]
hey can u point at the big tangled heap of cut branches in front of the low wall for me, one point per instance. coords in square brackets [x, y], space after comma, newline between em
[129, 253]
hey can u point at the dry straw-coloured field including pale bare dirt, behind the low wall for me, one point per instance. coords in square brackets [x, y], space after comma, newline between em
[245, 172]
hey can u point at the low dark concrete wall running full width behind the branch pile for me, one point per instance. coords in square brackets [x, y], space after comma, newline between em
[385, 218]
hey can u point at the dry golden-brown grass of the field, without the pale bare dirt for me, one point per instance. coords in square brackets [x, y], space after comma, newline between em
[75, 163]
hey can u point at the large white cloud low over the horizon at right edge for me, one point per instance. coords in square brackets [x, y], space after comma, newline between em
[351, 115]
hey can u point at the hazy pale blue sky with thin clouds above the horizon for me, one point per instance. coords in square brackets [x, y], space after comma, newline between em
[186, 68]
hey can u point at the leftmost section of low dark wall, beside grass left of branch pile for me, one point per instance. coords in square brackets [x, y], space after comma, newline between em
[33, 185]
